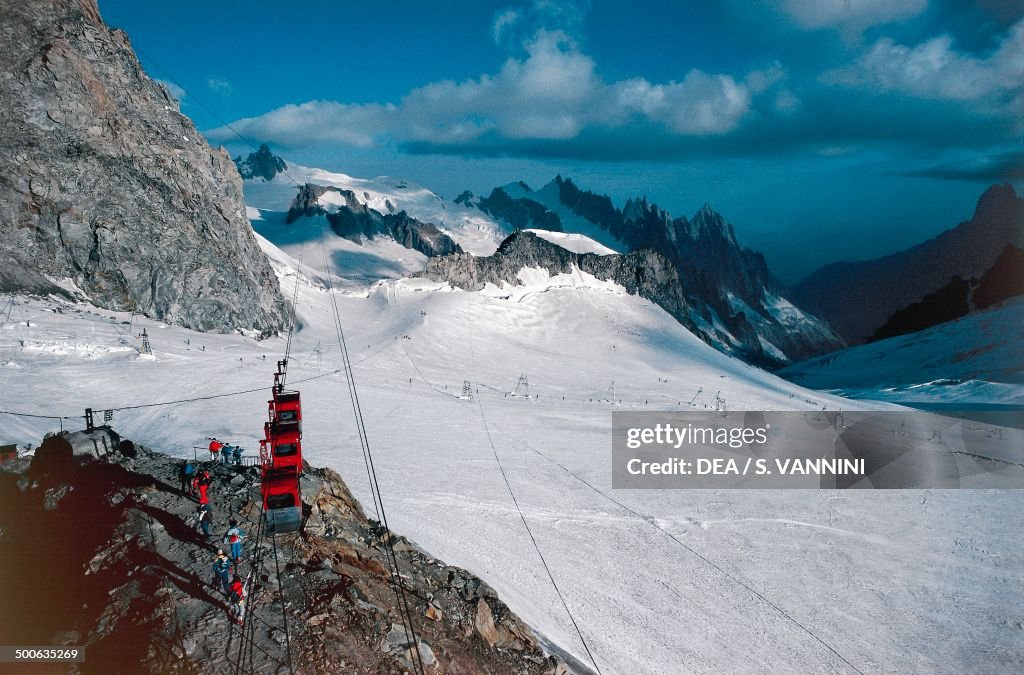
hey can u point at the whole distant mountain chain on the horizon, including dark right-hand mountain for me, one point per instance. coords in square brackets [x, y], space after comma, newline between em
[694, 268]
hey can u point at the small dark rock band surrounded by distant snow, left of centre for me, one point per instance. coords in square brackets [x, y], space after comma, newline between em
[353, 220]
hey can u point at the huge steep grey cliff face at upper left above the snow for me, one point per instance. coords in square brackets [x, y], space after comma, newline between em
[107, 187]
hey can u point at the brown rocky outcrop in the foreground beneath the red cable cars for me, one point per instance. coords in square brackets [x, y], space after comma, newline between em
[105, 553]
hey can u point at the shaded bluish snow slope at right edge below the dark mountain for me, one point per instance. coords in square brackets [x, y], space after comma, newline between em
[975, 360]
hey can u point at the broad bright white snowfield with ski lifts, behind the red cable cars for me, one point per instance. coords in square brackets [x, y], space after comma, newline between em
[891, 580]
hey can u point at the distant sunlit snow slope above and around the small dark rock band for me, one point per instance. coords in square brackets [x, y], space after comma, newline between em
[475, 231]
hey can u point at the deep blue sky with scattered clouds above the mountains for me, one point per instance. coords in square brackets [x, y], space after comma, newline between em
[822, 130]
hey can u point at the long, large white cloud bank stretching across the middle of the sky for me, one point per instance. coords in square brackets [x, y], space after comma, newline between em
[552, 94]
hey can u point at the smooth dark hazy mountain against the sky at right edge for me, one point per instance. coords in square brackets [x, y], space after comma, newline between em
[859, 298]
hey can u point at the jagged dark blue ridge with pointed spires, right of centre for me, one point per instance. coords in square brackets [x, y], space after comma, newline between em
[727, 293]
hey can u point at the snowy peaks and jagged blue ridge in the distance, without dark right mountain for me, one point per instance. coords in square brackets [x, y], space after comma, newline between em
[702, 276]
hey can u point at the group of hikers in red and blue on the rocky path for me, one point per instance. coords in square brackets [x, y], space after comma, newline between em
[196, 482]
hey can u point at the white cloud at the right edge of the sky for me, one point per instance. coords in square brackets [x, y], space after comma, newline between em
[936, 70]
